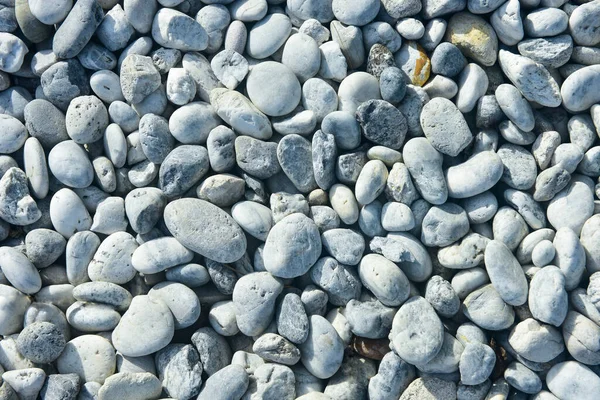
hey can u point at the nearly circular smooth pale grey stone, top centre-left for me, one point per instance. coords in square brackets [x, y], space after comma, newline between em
[273, 88]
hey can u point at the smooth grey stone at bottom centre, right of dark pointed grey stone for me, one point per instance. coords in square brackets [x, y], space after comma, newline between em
[322, 352]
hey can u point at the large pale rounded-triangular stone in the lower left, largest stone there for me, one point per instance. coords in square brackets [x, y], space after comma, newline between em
[146, 327]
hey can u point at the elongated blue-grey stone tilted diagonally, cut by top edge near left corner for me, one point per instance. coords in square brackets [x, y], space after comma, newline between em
[77, 29]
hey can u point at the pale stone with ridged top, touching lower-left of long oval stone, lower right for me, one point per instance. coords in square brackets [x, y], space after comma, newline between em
[486, 308]
